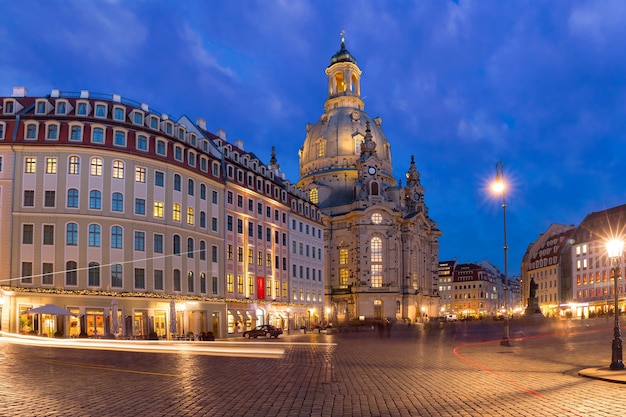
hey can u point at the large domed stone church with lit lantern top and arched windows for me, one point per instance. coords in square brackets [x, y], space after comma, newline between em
[381, 247]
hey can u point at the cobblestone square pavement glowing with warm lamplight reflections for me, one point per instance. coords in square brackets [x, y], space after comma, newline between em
[453, 370]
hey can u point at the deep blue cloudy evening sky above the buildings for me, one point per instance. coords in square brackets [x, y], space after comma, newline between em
[540, 85]
